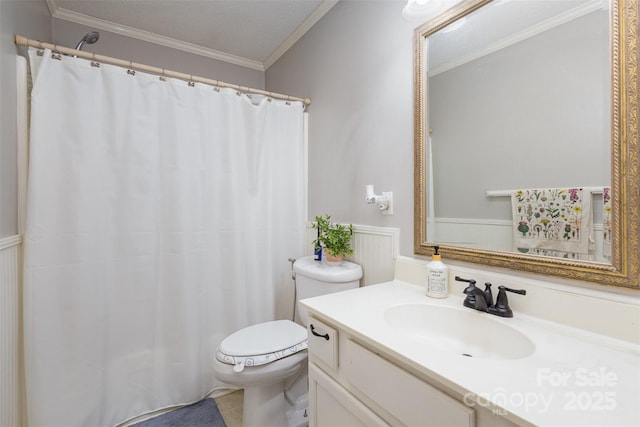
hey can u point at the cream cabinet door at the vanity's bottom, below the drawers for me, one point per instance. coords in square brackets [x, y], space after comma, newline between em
[332, 406]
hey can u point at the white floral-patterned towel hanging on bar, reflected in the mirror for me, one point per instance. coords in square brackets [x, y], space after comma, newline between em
[552, 219]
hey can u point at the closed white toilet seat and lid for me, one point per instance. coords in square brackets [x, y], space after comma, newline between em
[262, 343]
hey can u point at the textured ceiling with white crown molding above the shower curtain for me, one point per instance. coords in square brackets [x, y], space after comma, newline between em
[247, 32]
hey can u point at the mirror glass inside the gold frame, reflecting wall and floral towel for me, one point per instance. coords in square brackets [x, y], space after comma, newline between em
[506, 111]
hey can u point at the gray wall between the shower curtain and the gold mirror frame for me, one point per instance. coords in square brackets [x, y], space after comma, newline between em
[356, 65]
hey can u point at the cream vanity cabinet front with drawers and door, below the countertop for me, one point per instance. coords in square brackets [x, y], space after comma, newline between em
[351, 384]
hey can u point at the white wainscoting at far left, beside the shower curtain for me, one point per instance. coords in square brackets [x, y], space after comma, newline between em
[11, 377]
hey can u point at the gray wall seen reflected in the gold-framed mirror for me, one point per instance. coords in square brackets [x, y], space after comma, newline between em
[531, 115]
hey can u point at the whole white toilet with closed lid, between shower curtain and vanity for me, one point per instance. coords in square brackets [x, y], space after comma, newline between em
[269, 360]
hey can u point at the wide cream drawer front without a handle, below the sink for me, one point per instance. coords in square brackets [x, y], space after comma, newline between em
[406, 397]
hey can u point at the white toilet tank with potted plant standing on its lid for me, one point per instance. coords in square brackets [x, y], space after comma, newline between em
[315, 278]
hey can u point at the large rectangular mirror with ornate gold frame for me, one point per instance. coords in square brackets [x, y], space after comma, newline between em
[526, 137]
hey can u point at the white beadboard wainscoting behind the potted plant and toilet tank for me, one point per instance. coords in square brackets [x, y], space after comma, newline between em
[374, 248]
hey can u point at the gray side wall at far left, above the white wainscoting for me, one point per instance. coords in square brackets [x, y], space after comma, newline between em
[29, 18]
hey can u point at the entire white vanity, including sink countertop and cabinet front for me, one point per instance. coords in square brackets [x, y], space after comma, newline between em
[364, 369]
